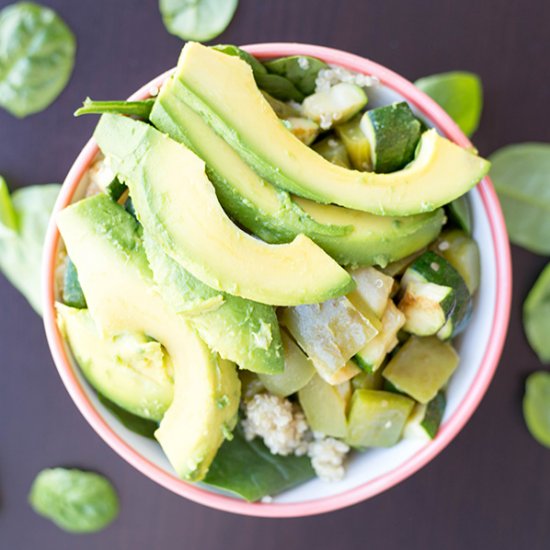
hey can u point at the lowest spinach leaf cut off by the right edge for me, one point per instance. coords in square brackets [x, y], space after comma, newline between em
[536, 406]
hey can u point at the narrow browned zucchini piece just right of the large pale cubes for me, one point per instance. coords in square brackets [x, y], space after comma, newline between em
[371, 356]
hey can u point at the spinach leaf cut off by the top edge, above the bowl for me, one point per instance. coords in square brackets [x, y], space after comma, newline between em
[199, 20]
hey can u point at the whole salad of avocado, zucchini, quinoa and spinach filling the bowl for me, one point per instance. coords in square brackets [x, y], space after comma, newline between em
[263, 272]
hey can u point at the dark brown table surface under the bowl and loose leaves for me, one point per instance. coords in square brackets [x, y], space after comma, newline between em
[490, 489]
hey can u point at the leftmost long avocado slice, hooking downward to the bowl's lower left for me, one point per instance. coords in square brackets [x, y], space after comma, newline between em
[105, 244]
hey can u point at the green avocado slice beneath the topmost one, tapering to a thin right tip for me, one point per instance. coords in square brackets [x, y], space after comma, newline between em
[265, 210]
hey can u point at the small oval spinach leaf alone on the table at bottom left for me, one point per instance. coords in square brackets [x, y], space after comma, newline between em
[76, 501]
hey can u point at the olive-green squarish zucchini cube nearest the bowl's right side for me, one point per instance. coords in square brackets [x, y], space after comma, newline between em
[422, 367]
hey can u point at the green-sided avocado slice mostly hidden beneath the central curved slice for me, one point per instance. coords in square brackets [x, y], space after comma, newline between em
[242, 331]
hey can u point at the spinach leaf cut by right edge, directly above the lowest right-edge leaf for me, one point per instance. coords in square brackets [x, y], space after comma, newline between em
[536, 317]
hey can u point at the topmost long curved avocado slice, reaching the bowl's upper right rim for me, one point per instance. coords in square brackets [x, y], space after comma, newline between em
[241, 115]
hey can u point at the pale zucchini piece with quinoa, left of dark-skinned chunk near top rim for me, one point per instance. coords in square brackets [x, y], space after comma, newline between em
[338, 104]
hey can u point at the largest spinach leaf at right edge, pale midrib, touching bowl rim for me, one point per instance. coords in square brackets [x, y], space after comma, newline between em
[521, 174]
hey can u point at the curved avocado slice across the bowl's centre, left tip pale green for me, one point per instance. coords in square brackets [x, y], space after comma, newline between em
[172, 194]
